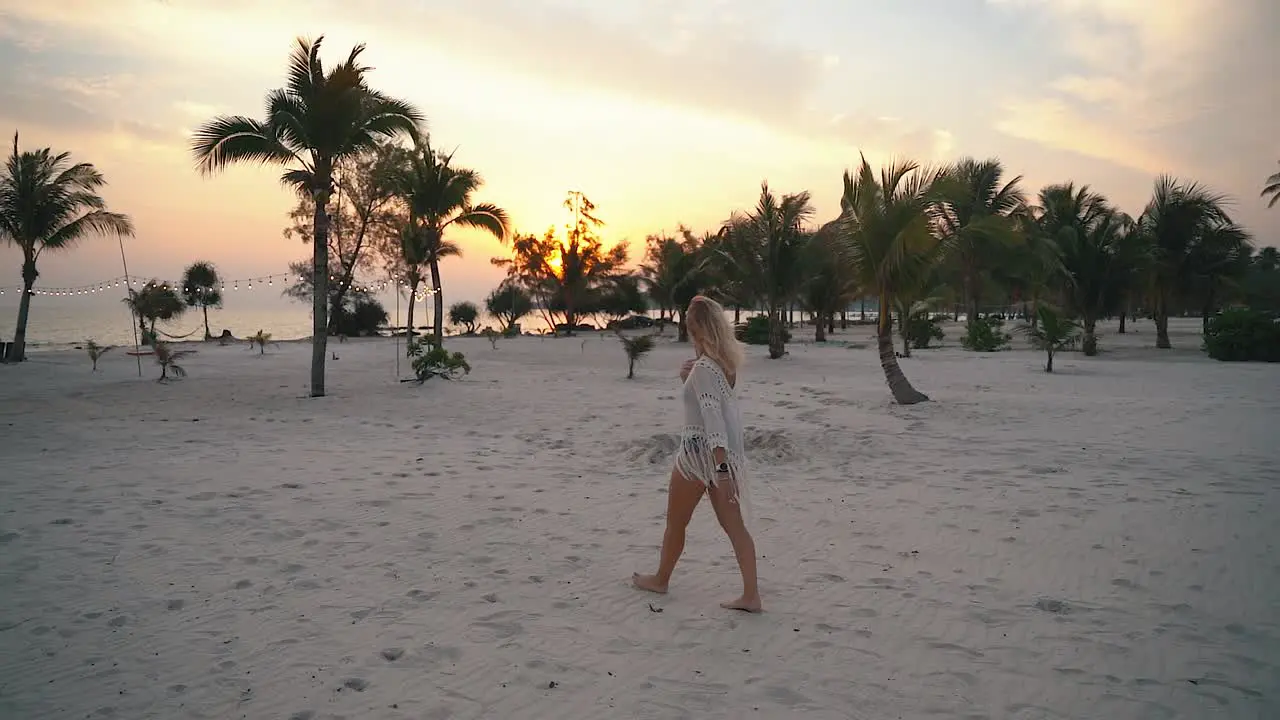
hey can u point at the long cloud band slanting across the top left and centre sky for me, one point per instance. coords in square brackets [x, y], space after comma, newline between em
[701, 56]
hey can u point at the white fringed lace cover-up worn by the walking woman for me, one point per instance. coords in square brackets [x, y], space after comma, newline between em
[712, 420]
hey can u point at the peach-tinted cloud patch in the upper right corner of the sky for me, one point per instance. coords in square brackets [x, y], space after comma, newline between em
[1141, 80]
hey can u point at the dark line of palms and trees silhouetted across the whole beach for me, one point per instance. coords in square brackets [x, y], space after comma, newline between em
[376, 197]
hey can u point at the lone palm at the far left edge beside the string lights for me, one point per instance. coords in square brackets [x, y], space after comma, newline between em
[47, 203]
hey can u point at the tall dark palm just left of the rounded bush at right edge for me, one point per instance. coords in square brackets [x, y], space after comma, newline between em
[1176, 222]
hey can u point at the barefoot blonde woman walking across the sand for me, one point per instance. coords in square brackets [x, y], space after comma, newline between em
[711, 459]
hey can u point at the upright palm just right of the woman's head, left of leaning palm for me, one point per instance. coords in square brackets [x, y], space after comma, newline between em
[766, 250]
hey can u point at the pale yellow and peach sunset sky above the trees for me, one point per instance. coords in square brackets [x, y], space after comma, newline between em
[662, 112]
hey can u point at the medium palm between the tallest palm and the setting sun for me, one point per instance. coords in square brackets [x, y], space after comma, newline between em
[438, 197]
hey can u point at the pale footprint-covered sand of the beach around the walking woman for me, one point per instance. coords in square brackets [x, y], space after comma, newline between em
[1101, 543]
